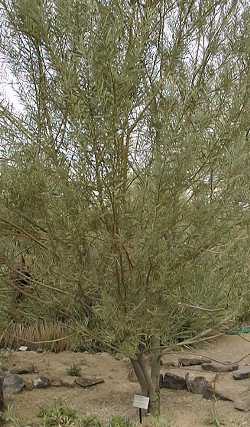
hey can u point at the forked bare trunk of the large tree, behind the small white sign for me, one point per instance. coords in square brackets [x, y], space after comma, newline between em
[148, 375]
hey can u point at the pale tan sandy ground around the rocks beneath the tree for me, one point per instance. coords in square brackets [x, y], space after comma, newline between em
[115, 395]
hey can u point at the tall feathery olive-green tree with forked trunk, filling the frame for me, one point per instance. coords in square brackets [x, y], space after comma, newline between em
[130, 158]
